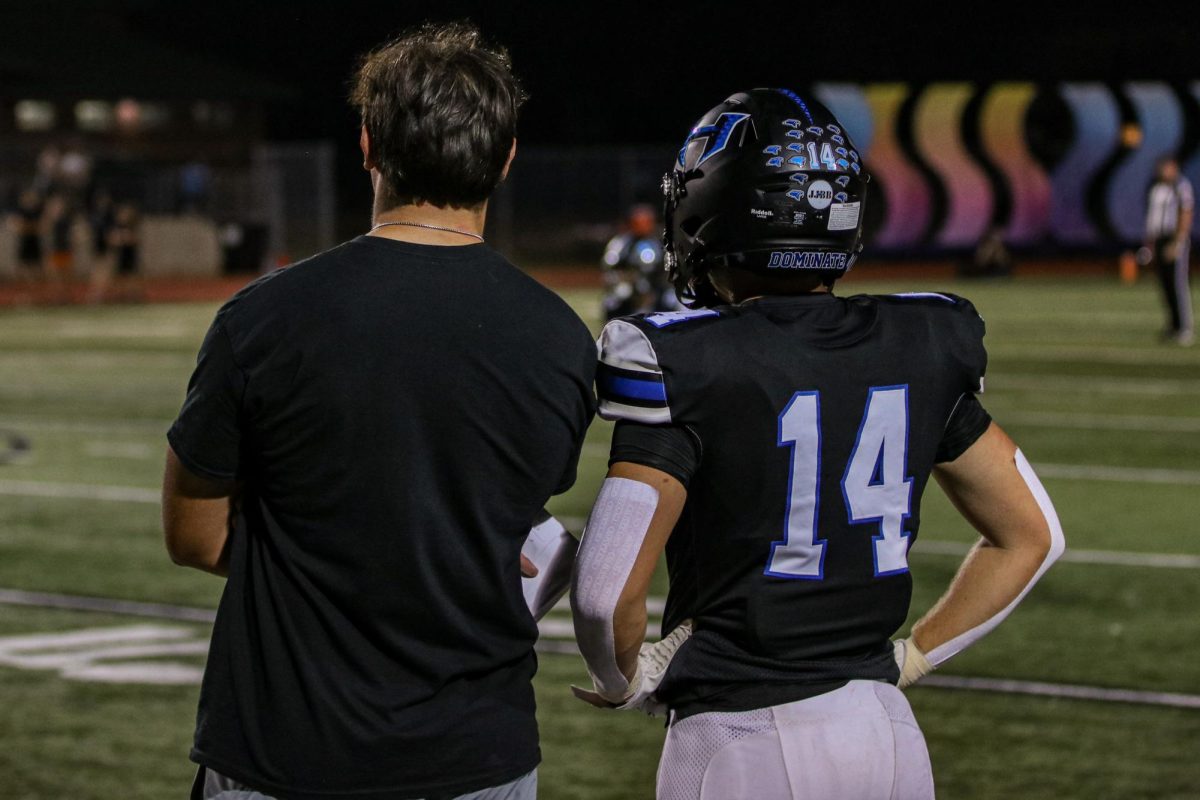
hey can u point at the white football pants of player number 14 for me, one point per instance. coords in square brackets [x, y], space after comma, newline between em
[857, 743]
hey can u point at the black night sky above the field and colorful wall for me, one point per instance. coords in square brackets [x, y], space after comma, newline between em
[602, 74]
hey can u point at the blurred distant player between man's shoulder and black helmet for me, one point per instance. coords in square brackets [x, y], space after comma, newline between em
[634, 278]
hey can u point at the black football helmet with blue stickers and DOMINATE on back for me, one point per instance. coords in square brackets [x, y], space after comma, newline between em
[767, 182]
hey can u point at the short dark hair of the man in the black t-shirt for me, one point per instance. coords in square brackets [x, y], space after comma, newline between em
[441, 110]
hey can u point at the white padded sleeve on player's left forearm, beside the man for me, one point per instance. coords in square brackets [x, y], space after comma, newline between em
[609, 550]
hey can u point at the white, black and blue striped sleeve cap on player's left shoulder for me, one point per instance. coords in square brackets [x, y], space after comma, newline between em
[629, 380]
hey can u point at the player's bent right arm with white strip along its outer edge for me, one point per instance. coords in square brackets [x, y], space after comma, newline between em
[994, 488]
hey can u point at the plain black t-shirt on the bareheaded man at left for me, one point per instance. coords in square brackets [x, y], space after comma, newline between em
[399, 416]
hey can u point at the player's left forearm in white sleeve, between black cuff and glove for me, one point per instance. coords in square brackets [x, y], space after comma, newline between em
[634, 516]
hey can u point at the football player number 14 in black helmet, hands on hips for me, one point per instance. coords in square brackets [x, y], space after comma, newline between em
[776, 441]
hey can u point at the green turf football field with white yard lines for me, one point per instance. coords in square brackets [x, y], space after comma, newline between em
[1109, 417]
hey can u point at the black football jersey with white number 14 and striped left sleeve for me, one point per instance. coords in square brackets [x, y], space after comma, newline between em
[817, 422]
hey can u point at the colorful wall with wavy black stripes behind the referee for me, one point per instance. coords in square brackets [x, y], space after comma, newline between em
[1055, 167]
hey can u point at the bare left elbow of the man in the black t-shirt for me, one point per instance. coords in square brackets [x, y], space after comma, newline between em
[197, 516]
